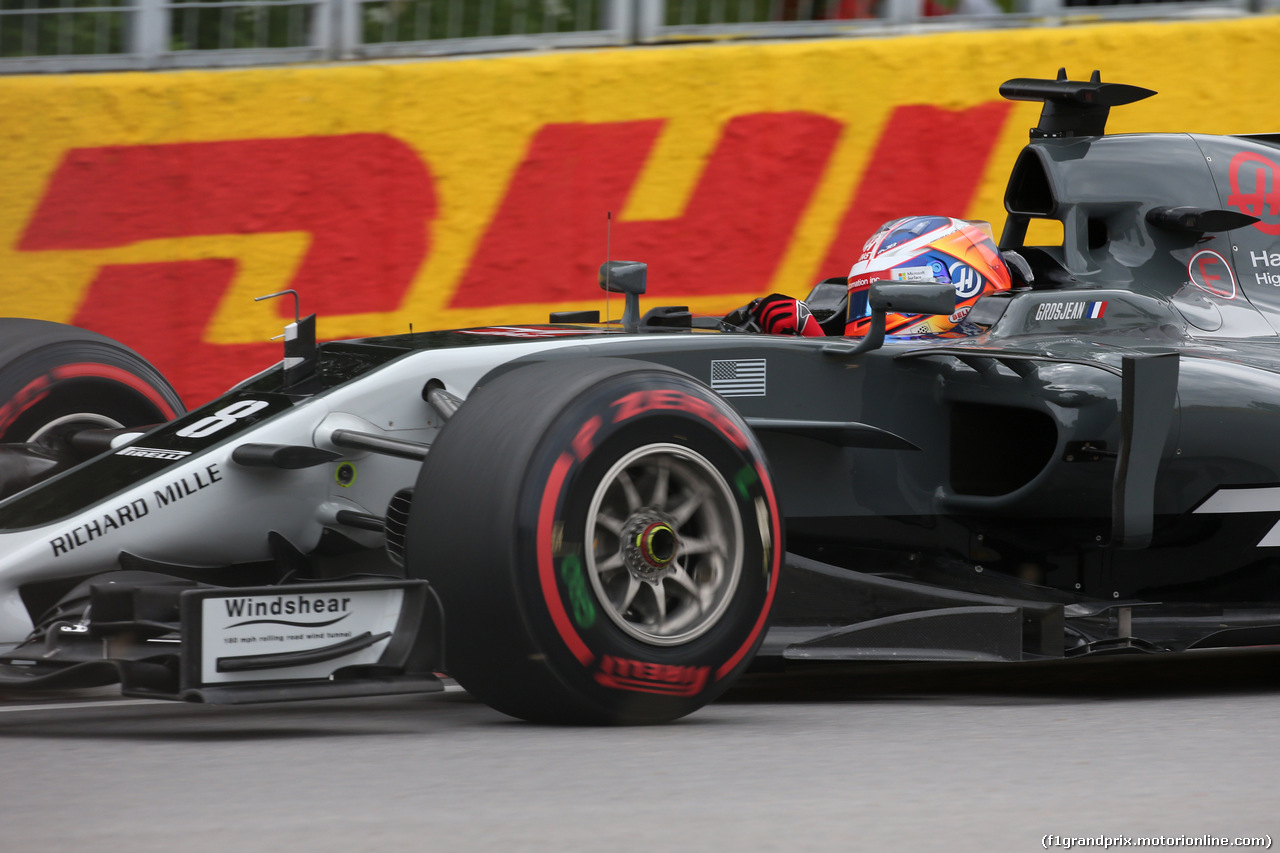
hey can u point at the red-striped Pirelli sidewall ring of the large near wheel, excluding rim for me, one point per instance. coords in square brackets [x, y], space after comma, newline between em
[624, 677]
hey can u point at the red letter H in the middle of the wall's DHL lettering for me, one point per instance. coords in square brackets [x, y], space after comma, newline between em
[726, 243]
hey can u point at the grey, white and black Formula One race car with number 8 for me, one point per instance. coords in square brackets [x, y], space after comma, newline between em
[584, 522]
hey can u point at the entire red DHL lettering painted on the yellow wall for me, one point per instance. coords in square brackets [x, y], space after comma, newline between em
[367, 202]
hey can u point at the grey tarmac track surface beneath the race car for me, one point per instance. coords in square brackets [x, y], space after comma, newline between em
[916, 759]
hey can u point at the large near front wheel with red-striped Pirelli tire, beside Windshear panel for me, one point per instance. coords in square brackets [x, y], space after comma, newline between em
[605, 540]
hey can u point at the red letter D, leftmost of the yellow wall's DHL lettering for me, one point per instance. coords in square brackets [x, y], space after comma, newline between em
[365, 200]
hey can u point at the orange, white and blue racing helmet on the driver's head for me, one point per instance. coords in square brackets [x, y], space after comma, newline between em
[930, 250]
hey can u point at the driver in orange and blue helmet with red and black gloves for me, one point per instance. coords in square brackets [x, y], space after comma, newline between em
[916, 249]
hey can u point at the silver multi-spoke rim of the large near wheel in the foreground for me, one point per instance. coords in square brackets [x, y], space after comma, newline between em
[666, 545]
